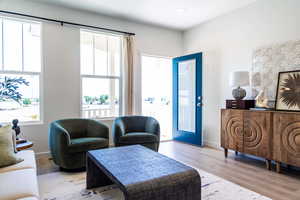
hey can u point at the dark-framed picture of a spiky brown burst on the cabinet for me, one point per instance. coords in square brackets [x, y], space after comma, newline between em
[288, 91]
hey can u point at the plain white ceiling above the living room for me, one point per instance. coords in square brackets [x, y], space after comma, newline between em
[176, 14]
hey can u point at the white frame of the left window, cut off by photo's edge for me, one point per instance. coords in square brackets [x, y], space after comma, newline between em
[23, 72]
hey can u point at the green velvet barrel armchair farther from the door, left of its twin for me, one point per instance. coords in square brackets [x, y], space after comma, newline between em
[70, 139]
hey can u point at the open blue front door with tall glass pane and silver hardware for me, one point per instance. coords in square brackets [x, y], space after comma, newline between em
[187, 99]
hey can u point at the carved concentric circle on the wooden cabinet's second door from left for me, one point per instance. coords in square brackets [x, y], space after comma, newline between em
[253, 136]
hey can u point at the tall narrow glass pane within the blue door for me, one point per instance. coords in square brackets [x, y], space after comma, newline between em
[186, 95]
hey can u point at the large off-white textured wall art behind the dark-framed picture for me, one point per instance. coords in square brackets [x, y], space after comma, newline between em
[268, 62]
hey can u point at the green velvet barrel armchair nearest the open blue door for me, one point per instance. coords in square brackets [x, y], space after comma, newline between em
[130, 130]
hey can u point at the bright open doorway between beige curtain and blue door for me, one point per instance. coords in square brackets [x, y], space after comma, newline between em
[157, 94]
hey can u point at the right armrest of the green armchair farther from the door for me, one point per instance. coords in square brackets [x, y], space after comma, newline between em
[97, 129]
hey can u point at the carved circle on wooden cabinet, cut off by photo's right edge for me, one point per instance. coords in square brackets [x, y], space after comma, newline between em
[290, 138]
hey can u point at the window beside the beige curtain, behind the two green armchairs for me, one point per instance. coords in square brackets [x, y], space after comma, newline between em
[100, 75]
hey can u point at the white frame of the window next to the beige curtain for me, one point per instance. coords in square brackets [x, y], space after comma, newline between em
[108, 77]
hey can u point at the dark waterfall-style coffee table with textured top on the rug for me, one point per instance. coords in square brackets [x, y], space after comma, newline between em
[142, 174]
